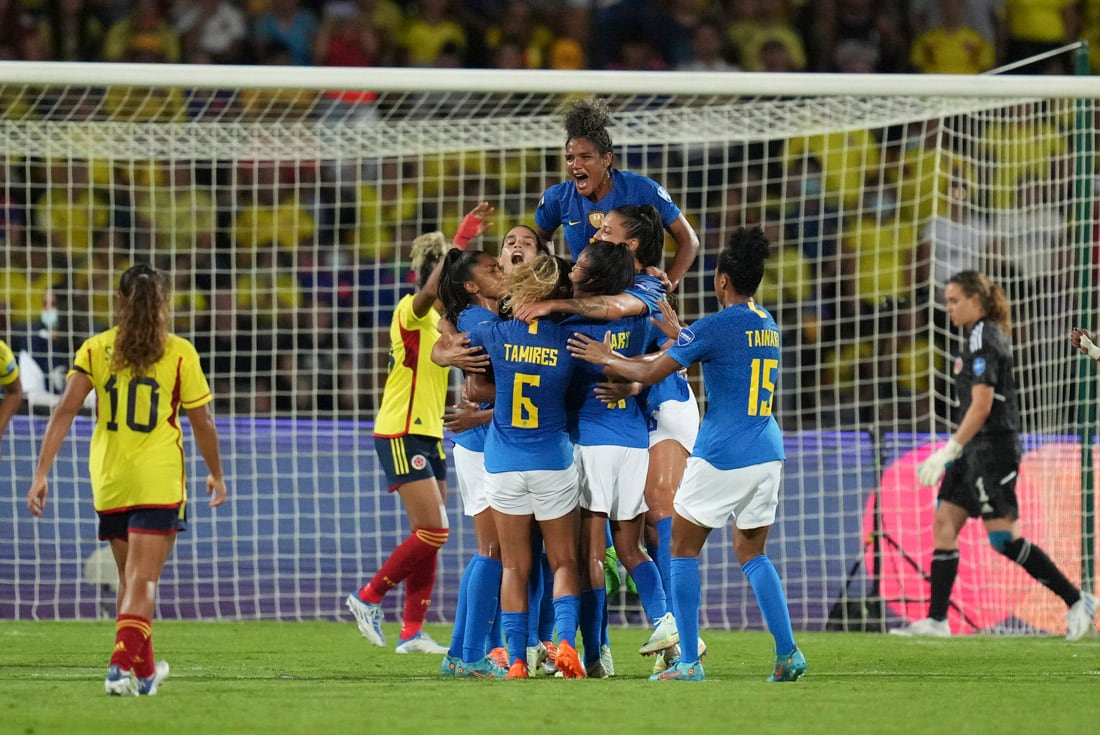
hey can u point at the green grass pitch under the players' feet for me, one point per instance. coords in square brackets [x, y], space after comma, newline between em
[324, 678]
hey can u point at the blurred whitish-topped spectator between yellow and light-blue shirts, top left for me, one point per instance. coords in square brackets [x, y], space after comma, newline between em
[212, 31]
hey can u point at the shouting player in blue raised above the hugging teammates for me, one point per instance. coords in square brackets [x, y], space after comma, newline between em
[598, 188]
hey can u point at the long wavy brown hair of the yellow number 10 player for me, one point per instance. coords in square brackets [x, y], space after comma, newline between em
[144, 320]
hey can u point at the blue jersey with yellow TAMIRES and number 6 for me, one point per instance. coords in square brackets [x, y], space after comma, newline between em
[534, 370]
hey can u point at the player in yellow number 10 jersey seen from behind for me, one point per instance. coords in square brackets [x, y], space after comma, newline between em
[142, 376]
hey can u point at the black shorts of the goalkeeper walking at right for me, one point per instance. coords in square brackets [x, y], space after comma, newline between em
[984, 480]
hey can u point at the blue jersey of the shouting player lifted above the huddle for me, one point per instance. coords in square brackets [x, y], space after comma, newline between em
[562, 206]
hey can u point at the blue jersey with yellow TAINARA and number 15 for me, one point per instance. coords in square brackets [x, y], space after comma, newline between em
[739, 349]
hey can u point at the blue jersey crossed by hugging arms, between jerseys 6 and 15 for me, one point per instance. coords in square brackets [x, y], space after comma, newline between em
[595, 423]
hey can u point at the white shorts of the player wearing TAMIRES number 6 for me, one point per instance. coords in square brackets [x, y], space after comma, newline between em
[547, 495]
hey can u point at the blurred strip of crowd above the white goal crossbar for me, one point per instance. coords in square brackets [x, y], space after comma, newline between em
[950, 37]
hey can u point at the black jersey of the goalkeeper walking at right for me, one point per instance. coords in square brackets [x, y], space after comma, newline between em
[987, 360]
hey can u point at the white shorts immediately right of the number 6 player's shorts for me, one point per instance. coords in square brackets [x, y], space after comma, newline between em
[613, 480]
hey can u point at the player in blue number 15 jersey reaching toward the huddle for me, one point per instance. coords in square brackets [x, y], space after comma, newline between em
[736, 448]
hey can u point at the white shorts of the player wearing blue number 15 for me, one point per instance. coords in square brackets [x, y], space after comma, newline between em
[708, 497]
